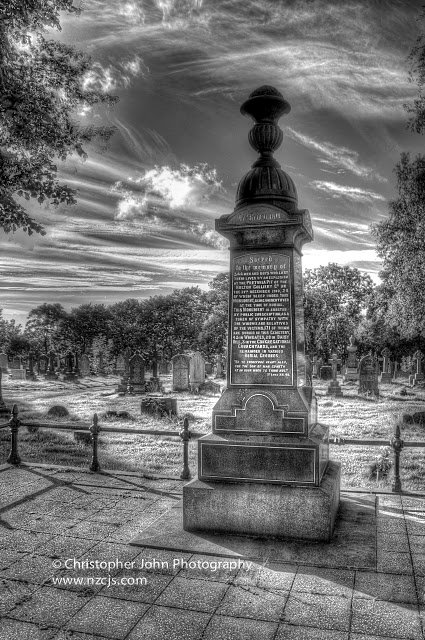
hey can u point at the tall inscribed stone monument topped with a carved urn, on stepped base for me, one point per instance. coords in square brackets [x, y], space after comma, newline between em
[264, 469]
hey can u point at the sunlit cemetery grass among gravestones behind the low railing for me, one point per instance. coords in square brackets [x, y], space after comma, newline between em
[350, 416]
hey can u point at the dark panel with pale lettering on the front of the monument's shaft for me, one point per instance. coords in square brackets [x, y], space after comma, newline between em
[261, 320]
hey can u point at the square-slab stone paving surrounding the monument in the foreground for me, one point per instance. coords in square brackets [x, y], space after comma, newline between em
[49, 517]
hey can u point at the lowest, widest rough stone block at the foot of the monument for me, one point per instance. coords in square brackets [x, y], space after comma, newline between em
[264, 510]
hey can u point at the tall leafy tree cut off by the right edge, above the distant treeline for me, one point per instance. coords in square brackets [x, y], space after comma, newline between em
[400, 241]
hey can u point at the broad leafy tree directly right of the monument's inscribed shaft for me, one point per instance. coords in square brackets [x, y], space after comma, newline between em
[335, 297]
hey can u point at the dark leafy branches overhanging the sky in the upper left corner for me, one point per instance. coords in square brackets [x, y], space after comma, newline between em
[41, 86]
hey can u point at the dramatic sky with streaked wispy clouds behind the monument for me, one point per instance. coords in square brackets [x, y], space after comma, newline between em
[144, 223]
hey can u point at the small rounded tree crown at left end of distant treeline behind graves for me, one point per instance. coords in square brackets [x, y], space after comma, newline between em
[43, 326]
